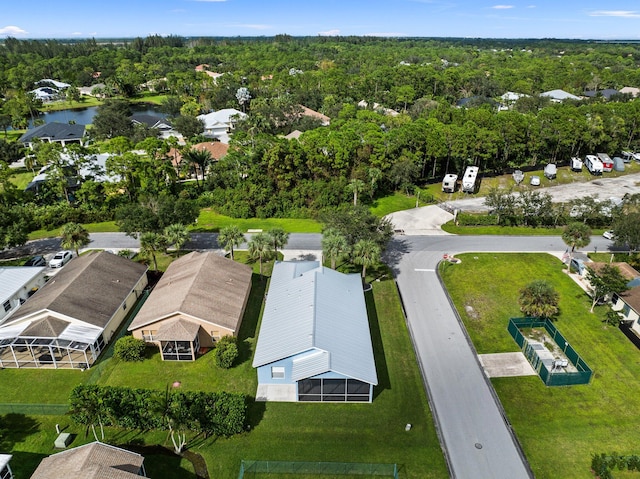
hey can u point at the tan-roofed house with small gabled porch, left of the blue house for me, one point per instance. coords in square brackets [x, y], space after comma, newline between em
[199, 299]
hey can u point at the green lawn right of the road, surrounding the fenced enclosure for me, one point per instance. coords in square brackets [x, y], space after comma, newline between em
[560, 427]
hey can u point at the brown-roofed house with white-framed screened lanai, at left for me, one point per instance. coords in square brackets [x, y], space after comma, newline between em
[68, 322]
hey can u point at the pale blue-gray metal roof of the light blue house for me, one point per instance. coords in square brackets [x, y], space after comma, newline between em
[314, 309]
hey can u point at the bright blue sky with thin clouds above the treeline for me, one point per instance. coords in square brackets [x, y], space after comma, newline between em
[579, 19]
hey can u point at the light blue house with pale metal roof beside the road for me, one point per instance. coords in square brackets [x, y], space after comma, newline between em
[314, 342]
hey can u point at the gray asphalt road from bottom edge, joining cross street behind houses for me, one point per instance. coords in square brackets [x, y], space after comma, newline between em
[477, 439]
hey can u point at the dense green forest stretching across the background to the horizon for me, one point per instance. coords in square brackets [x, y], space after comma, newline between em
[410, 132]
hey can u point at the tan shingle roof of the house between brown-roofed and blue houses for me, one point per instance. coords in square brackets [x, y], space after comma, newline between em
[203, 285]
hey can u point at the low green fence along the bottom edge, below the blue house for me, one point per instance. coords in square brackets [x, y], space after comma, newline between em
[317, 468]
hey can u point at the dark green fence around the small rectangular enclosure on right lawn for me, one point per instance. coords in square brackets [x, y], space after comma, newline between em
[548, 375]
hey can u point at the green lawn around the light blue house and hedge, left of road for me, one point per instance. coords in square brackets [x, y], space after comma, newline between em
[278, 431]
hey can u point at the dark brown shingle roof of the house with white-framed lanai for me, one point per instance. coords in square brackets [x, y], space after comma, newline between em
[89, 288]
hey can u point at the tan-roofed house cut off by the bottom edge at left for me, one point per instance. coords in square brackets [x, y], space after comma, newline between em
[95, 460]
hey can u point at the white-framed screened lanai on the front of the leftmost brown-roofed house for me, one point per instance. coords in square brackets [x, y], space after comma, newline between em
[50, 343]
